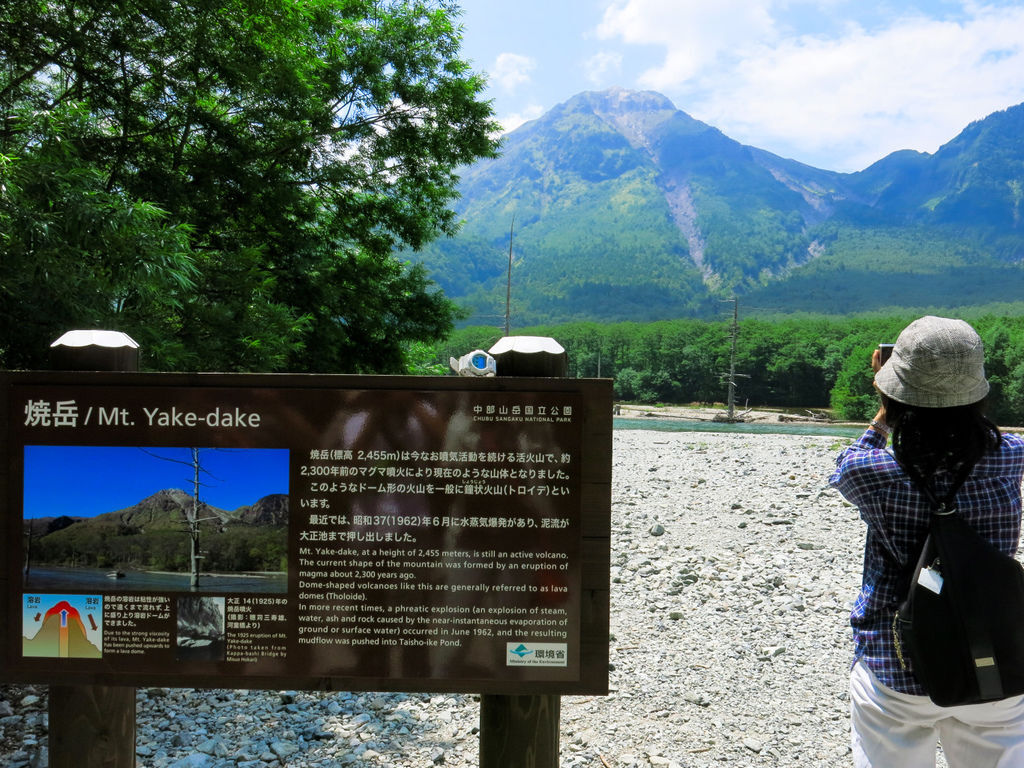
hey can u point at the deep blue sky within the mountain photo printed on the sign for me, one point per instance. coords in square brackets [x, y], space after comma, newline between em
[87, 482]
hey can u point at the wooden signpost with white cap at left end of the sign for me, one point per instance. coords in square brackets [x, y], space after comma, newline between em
[93, 727]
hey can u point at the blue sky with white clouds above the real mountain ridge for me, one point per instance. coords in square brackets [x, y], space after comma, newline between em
[837, 84]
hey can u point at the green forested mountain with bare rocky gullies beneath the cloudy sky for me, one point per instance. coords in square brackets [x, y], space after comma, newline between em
[626, 208]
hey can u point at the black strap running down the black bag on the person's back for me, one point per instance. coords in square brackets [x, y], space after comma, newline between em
[983, 654]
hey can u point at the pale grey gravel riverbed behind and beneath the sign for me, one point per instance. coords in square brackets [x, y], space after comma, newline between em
[734, 569]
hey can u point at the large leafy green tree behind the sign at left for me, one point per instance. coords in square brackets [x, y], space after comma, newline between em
[229, 180]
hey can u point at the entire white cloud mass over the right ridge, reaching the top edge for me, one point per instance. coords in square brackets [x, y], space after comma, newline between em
[842, 101]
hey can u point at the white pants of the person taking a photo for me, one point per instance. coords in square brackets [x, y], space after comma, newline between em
[897, 731]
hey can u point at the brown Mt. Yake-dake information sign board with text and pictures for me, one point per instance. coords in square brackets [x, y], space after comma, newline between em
[307, 532]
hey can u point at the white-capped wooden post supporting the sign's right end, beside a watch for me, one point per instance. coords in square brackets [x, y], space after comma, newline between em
[523, 732]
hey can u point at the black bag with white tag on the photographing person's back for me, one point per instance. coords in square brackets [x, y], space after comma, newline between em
[962, 625]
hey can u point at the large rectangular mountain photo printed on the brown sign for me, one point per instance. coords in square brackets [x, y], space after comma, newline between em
[192, 520]
